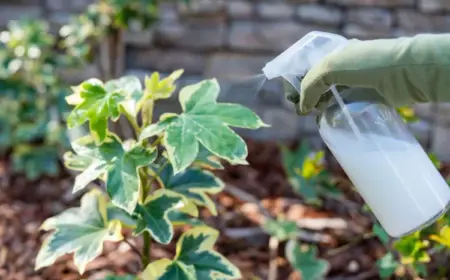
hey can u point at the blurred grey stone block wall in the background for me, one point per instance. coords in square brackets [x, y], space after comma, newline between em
[233, 39]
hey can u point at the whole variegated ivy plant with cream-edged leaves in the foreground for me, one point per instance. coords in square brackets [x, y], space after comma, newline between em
[151, 183]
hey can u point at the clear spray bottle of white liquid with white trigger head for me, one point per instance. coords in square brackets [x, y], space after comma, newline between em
[384, 161]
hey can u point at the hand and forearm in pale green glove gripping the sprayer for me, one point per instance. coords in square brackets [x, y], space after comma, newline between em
[398, 72]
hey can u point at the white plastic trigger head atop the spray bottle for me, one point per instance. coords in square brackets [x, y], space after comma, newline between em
[295, 62]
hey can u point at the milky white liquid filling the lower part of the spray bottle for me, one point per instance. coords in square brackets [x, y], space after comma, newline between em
[396, 178]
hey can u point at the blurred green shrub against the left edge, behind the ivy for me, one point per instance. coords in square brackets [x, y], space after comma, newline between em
[31, 95]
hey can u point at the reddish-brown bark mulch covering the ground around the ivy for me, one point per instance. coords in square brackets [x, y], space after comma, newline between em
[25, 205]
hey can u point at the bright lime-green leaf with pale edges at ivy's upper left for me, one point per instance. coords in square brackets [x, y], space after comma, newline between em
[95, 104]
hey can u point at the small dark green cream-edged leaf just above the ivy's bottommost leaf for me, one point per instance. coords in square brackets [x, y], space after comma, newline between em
[153, 215]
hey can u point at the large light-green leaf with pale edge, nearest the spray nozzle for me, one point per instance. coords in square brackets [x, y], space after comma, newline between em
[206, 121]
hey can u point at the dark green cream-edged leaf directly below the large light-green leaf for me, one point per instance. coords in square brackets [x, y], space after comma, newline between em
[193, 183]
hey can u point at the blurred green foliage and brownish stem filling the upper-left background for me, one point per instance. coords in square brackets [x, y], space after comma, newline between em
[32, 130]
